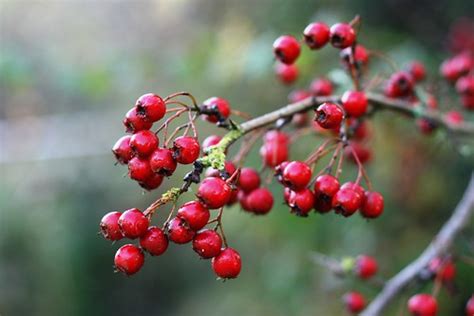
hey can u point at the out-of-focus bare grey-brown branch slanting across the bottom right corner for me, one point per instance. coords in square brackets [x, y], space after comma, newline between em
[437, 247]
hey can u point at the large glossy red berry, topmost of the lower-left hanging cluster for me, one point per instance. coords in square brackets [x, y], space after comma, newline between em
[214, 192]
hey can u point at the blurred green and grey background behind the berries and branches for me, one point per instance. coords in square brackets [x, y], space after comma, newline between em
[69, 70]
